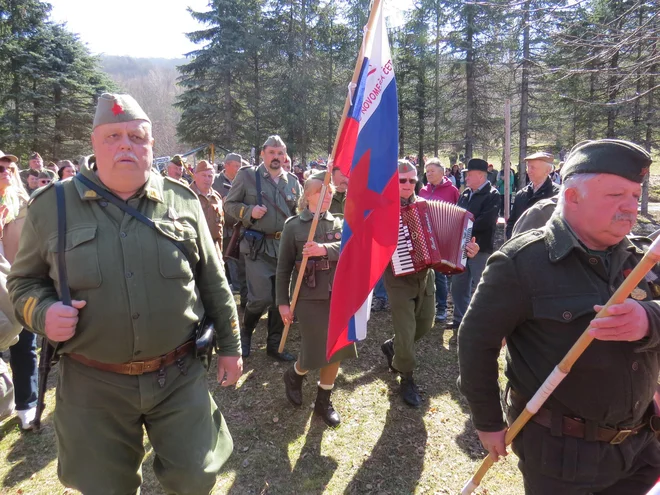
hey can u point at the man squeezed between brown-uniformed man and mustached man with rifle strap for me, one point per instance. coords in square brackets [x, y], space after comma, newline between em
[222, 184]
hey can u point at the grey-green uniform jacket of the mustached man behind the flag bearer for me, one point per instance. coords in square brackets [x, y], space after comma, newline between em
[242, 198]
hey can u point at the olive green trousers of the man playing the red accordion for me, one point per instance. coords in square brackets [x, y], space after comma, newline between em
[412, 301]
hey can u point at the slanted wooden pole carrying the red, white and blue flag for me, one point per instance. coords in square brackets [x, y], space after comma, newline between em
[347, 105]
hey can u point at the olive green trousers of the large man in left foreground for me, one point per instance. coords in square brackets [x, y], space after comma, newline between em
[99, 419]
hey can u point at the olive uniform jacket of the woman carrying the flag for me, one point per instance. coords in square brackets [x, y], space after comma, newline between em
[294, 237]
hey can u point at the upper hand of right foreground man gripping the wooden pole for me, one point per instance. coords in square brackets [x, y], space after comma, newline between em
[626, 322]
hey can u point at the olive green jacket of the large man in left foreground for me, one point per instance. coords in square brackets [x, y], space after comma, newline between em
[142, 297]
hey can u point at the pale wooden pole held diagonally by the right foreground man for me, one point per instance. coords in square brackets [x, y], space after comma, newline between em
[564, 367]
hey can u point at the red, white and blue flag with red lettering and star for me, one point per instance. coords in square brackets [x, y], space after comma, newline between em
[367, 152]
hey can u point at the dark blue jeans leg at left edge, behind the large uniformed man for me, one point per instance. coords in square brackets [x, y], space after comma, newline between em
[23, 361]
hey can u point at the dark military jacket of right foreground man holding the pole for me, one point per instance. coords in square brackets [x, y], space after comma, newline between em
[538, 291]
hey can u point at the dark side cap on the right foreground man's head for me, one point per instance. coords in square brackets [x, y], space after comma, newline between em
[608, 156]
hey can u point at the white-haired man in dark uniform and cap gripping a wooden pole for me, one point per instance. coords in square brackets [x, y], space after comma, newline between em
[540, 291]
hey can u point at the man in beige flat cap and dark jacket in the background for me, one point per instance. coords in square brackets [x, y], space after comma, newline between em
[539, 167]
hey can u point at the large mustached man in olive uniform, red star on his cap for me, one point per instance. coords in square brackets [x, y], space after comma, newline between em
[126, 343]
